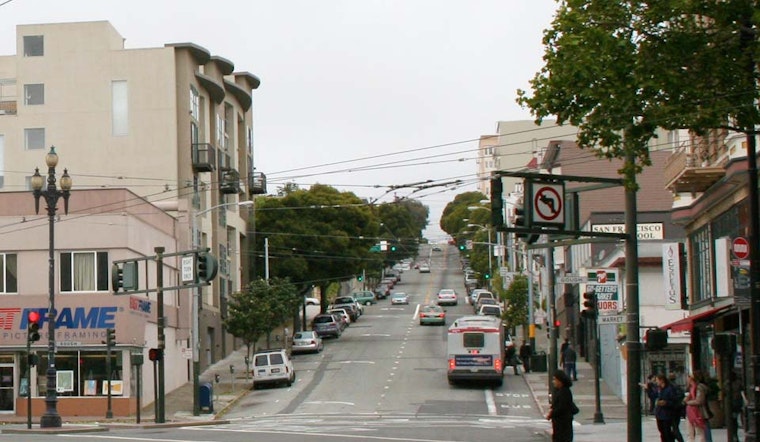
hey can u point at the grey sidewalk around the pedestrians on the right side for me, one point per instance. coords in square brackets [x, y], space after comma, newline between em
[614, 410]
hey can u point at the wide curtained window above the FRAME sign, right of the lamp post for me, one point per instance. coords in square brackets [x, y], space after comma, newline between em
[84, 271]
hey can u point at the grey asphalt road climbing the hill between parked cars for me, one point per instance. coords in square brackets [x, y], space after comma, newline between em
[384, 379]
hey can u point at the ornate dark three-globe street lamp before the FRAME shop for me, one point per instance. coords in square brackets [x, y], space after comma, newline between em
[51, 194]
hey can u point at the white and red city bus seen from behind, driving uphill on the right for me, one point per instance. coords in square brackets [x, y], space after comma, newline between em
[476, 349]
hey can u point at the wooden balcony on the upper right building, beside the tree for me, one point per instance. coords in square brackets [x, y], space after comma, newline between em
[683, 173]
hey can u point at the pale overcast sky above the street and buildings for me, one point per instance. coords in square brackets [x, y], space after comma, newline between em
[358, 94]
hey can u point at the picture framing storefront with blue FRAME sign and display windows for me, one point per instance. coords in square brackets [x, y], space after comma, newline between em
[81, 356]
